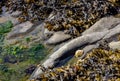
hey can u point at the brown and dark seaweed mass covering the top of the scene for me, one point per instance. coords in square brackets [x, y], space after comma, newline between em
[74, 16]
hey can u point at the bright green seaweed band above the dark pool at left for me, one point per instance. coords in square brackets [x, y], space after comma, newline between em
[20, 52]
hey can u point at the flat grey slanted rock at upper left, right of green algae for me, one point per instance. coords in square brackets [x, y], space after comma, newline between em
[20, 30]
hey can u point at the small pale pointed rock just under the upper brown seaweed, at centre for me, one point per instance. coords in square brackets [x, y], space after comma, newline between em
[57, 38]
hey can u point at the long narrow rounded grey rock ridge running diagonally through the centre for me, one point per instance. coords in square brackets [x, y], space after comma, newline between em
[74, 44]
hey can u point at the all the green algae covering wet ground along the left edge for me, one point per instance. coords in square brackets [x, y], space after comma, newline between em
[15, 59]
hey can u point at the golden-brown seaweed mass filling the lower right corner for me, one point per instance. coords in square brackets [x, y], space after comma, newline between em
[99, 65]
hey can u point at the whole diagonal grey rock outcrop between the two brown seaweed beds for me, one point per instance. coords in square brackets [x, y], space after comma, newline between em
[102, 35]
